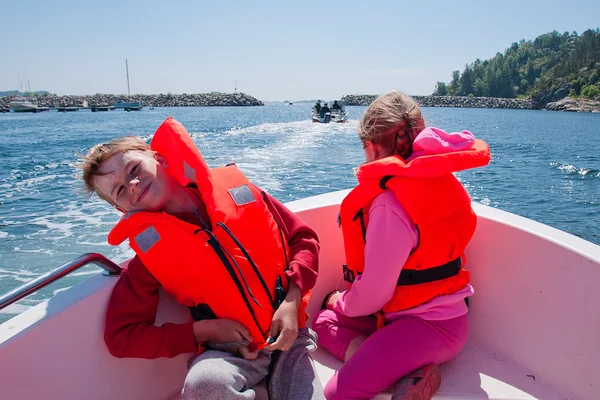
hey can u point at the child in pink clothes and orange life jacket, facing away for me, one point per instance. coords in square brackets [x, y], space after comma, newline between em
[405, 228]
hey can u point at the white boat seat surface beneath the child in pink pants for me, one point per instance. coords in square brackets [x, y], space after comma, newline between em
[474, 374]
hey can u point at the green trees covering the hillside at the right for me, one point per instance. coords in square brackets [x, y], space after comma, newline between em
[553, 65]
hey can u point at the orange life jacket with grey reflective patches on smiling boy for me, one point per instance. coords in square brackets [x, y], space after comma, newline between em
[234, 266]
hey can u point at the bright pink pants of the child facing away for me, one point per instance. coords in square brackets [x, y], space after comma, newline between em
[388, 354]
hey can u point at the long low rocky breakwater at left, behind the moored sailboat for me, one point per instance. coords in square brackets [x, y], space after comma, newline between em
[148, 100]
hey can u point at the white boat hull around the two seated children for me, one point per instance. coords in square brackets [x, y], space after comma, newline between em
[534, 322]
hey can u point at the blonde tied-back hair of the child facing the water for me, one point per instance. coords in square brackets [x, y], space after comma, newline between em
[393, 121]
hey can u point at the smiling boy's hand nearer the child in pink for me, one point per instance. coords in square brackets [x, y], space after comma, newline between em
[284, 327]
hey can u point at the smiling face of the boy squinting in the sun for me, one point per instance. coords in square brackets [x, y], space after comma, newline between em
[135, 181]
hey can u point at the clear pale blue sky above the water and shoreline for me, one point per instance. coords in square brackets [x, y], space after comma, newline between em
[272, 50]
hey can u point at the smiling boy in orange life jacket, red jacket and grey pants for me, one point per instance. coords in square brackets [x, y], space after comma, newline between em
[242, 262]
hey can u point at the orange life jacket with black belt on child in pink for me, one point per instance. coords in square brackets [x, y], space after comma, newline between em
[439, 206]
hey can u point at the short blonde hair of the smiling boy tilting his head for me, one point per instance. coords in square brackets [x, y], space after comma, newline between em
[91, 163]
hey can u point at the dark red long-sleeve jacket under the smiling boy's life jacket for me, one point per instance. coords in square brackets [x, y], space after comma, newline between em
[130, 330]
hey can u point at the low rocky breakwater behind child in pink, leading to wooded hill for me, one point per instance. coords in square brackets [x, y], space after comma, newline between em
[449, 101]
